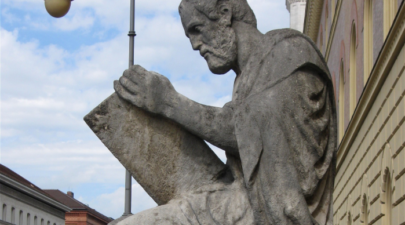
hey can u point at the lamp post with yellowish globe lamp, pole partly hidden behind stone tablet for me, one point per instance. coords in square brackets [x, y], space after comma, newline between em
[59, 8]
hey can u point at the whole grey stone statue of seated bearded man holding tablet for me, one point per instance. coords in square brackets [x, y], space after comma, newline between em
[278, 132]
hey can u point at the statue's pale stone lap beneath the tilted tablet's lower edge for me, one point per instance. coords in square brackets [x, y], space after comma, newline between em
[228, 204]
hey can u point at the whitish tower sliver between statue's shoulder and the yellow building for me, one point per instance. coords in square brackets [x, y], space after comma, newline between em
[297, 13]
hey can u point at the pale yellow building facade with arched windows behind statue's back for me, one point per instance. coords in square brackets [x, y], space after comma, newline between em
[363, 44]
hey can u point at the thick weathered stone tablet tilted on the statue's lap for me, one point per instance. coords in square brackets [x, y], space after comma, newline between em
[165, 159]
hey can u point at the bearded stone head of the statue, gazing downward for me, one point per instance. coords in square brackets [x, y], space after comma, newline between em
[208, 25]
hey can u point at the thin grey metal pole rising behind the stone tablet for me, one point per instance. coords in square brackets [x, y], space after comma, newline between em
[131, 35]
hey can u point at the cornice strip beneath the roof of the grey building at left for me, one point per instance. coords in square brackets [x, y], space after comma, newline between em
[14, 184]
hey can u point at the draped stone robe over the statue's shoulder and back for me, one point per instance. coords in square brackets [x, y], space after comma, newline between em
[285, 125]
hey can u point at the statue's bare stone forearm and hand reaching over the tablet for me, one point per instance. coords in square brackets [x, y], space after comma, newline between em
[154, 93]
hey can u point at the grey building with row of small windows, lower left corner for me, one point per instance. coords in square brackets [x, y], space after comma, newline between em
[23, 203]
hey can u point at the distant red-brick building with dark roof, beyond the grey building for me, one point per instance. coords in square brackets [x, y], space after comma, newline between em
[81, 214]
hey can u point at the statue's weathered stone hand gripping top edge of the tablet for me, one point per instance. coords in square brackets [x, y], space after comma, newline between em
[144, 89]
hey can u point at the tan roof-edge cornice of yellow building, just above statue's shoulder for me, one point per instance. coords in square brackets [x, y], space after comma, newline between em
[313, 13]
